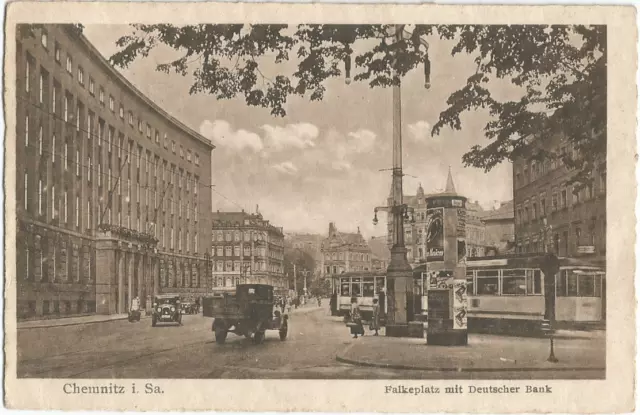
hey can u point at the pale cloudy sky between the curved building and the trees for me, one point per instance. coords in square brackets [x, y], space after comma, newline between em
[322, 162]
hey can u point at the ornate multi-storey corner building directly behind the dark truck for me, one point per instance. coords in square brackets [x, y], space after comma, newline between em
[246, 249]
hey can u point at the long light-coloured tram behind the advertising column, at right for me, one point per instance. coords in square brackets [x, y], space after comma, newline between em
[507, 294]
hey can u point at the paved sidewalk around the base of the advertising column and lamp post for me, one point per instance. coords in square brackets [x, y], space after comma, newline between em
[488, 353]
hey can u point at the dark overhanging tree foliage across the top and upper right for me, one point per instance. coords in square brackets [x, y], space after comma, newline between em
[561, 71]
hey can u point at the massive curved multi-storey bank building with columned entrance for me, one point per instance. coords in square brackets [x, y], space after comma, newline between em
[107, 207]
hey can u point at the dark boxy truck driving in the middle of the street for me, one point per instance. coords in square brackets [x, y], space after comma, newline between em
[249, 312]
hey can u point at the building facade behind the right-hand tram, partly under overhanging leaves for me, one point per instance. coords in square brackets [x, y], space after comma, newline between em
[576, 218]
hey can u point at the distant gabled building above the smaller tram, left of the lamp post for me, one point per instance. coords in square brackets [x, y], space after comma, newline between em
[344, 252]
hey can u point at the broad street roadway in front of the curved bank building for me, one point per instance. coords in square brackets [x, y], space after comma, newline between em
[119, 349]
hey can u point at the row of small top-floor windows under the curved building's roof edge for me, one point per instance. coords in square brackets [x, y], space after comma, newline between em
[101, 97]
